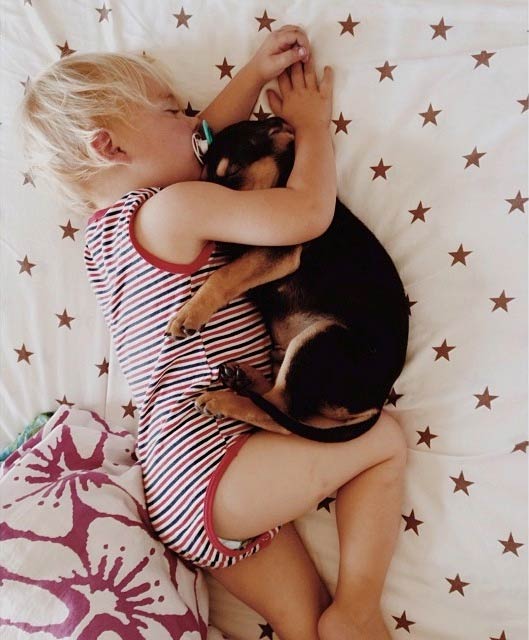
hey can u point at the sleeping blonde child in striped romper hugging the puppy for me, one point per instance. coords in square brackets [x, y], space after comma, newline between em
[109, 131]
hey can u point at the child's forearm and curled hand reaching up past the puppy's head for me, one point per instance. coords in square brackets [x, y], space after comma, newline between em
[235, 102]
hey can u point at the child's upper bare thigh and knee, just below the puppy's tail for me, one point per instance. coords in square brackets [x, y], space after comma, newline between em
[276, 478]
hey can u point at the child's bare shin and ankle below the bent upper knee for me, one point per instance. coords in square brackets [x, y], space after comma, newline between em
[368, 512]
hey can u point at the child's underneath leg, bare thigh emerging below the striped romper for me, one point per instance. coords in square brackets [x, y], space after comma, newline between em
[281, 583]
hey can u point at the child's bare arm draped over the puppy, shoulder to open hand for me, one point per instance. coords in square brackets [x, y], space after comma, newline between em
[187, 214]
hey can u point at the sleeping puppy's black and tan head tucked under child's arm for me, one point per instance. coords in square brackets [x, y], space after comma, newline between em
[251, 155]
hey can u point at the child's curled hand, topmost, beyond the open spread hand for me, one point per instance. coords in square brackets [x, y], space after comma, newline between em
[280, 50]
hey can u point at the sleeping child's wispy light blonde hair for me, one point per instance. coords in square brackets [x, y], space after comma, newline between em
[66, 105]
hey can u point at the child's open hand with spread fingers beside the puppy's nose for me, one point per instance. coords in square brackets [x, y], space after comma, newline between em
[302, 102]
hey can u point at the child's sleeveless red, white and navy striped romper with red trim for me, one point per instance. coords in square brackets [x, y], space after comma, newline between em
[183, 453]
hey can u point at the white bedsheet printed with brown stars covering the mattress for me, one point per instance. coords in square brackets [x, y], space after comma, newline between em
[430, 131]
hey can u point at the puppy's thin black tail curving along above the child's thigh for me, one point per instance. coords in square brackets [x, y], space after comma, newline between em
[321, 434]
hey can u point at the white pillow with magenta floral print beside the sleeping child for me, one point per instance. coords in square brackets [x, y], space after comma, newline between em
[78, 558]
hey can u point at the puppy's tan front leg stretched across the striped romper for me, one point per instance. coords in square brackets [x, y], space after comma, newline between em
[255, 267]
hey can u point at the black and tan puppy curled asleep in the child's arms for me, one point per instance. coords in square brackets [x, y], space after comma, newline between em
[335, 307]
